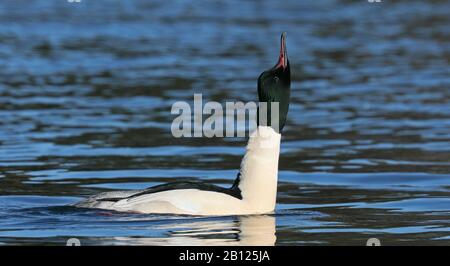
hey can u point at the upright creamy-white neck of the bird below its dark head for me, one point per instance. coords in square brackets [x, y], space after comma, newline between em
[259, 169]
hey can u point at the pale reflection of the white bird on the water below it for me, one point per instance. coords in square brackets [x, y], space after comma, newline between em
[243, 230]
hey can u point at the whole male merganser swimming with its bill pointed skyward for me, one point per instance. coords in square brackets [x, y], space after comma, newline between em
[255, 188]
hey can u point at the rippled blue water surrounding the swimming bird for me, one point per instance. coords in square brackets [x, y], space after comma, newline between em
[85, 96]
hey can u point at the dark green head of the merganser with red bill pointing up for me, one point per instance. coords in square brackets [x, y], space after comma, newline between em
[274, 85]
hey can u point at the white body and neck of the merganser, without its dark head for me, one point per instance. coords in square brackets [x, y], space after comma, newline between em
[254, 191]
